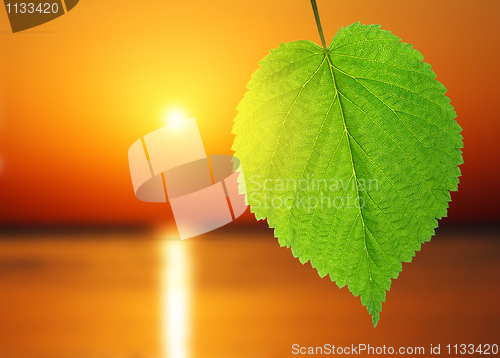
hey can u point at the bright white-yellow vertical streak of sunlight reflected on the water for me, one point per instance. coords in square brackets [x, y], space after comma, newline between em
[175, 299]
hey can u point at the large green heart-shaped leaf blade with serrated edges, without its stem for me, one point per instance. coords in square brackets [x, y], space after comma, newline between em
[350, 154]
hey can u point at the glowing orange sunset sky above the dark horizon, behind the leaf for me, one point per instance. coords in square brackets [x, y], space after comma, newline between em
[76, 92]
